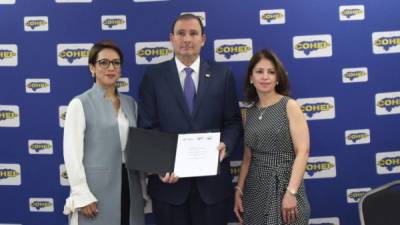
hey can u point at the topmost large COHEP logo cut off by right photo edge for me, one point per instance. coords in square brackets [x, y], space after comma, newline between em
[386, 42]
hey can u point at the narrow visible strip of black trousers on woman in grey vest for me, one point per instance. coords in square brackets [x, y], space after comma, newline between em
[125, 197]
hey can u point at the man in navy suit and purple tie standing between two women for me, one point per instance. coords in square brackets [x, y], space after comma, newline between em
[183, 95]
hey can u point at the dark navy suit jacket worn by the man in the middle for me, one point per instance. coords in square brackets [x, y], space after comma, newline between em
[162, 106]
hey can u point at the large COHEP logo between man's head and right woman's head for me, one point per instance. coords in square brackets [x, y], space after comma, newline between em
[227, 50]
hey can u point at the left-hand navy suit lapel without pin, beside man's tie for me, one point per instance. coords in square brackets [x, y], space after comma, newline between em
[172, 78]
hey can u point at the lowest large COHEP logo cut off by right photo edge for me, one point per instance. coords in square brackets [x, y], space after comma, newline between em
[388, 162]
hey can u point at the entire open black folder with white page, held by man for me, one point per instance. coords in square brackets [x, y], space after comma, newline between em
[187, 155]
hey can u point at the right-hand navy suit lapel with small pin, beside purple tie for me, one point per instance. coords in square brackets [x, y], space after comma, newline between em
[204, 81]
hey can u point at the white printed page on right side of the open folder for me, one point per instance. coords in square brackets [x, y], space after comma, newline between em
[197, 155]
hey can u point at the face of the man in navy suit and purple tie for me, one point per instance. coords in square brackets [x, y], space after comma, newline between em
[187, 39]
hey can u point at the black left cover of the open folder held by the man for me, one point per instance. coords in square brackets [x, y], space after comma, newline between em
[151, 151]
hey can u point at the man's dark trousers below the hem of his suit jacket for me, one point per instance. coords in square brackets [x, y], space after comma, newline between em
[193, 212]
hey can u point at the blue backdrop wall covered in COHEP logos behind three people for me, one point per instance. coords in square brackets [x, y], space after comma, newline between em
[342, 59]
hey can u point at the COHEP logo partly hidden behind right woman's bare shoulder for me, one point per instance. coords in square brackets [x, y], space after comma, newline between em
[318, 108]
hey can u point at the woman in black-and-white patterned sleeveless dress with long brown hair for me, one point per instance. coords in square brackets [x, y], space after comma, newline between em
[270, 189]
